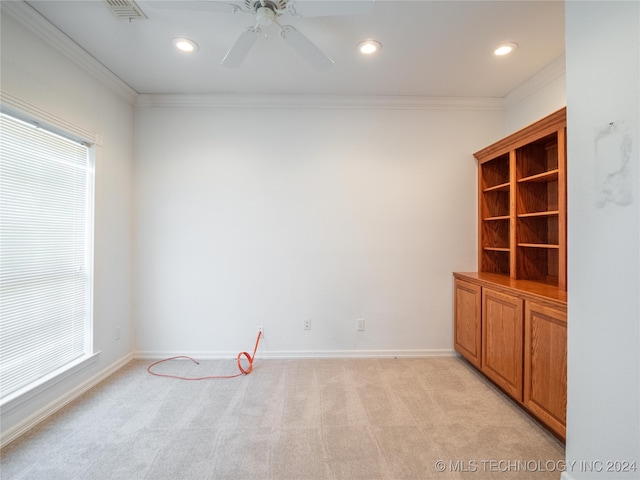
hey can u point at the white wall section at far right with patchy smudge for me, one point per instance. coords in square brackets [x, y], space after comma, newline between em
[603, 79]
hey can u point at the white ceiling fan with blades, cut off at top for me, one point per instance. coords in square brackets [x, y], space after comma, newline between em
[266, 13]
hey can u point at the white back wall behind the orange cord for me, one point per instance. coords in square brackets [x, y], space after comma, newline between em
[267, 216]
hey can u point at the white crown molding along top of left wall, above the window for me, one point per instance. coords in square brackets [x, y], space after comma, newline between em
[40, 26]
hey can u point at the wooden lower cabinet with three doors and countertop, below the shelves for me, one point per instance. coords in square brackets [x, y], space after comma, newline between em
[515, 333]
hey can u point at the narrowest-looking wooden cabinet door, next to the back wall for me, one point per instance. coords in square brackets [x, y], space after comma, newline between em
[467, 310]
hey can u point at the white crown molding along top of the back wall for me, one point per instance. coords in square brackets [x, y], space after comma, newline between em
[319, 101]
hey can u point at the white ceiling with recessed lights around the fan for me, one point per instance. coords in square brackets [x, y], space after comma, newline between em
[430, 48]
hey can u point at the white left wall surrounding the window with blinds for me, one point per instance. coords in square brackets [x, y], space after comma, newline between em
[47, 81]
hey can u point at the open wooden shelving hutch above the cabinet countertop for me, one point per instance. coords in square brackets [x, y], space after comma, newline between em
[522, 203]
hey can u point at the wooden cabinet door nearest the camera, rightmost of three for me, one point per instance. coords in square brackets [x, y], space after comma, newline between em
[545, 388]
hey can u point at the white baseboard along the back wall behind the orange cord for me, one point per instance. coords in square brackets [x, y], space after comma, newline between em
[293, 354]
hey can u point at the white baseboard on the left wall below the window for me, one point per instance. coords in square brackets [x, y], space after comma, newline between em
[21, 428]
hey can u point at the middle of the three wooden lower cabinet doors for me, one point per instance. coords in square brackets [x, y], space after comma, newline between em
[502, 340]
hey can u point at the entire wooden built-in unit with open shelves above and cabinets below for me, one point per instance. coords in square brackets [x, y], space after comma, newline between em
[511, 316]
